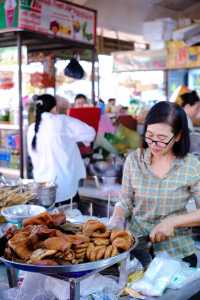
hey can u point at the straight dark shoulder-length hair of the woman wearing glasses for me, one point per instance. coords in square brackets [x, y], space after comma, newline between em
[173, 115]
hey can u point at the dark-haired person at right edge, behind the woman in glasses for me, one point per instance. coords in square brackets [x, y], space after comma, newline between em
[191, 105]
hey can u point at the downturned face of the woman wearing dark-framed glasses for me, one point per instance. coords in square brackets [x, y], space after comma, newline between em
[160, 138]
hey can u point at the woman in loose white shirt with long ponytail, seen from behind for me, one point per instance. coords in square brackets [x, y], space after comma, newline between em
[52, 146]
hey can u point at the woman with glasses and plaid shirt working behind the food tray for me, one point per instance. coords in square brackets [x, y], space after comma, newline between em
[158, 180]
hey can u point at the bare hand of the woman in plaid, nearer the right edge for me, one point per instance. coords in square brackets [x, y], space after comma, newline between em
[163, 230]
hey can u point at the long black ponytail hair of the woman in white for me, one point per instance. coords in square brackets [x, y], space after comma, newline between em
[44, 103]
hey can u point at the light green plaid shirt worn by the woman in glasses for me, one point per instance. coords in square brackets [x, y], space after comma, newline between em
[147, 199]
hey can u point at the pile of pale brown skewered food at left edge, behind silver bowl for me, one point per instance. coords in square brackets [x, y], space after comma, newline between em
[13, 196]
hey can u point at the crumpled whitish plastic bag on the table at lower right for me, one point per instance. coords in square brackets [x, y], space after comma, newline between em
[158, 275]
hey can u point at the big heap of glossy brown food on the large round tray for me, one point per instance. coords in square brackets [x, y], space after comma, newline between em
[43, 241]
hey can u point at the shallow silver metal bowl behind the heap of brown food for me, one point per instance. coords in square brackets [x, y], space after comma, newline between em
[17, 213]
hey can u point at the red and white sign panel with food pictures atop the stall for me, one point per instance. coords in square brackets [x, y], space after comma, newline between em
[59, 19]
